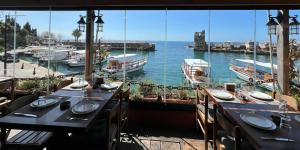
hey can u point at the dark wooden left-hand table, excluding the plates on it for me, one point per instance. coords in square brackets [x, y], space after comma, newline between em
[55, 119]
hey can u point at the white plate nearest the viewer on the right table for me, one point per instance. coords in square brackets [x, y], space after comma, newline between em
[258, 121]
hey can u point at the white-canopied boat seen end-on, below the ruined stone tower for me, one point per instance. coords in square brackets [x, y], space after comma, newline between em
[195, 71]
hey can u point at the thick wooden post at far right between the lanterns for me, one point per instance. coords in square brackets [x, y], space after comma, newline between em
[283, 51]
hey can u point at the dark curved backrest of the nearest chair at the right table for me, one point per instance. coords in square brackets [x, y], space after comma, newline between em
[226, 124]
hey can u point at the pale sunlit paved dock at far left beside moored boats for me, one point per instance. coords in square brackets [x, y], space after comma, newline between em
[25, 69]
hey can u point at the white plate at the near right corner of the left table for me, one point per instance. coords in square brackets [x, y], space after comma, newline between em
[85, 107]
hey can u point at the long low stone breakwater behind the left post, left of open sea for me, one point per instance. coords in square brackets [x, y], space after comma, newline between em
[117, 45]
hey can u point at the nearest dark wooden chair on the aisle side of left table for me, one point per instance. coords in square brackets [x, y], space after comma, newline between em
[103, 133]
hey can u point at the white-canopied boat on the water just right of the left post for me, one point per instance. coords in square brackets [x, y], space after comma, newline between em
[130, 62]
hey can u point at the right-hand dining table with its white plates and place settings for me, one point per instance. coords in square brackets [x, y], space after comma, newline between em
[265, 122]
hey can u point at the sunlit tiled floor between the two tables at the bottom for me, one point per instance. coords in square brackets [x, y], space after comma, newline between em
[161, 140]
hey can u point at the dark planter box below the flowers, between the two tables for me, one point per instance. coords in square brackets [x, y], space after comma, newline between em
[162, 115]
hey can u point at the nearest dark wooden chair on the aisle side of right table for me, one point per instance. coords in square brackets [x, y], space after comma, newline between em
[229, 136]
